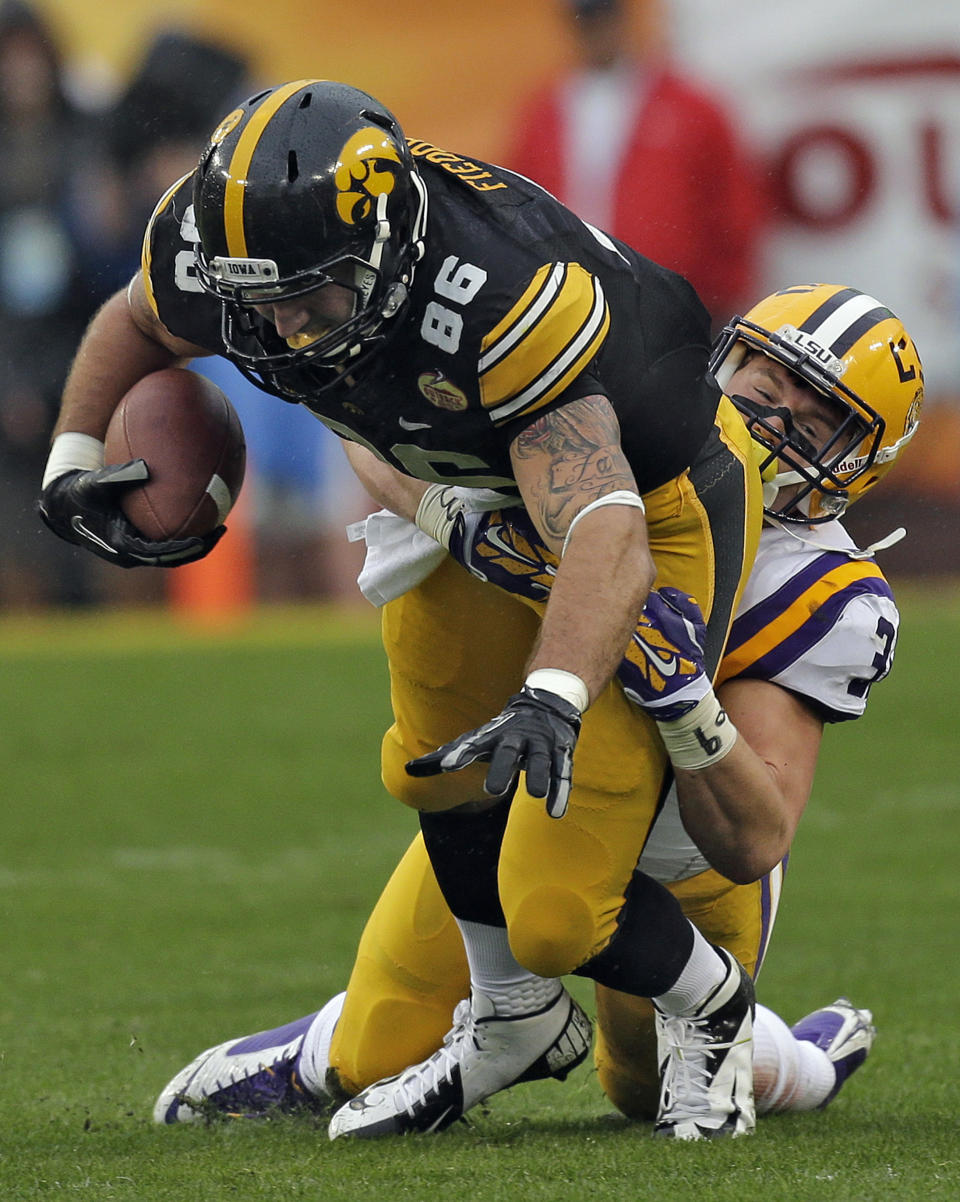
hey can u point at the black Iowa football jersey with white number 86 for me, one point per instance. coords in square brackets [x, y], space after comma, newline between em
[516, 308]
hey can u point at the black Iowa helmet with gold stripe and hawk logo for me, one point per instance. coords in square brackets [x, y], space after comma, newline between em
[307, 185]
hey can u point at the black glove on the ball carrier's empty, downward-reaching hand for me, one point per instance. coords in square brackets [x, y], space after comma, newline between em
[536, 733]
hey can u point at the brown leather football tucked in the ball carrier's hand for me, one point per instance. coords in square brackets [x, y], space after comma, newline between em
[190, 437]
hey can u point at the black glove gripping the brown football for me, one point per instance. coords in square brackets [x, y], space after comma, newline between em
[84, 508]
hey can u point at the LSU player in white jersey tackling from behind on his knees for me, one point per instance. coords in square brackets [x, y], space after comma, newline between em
[831, 386]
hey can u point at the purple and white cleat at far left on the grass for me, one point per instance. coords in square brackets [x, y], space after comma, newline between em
[248, 1078]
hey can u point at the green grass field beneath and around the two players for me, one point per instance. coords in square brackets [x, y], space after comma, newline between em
[195, 831]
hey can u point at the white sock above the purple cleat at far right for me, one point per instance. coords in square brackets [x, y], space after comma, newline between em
[789, 1074]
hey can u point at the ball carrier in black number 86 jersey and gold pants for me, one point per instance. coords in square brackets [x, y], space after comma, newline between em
[452, 320]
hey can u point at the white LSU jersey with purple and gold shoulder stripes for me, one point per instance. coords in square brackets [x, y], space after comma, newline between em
[815, 620]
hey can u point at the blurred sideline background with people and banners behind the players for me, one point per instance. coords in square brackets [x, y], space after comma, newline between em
[747, 145]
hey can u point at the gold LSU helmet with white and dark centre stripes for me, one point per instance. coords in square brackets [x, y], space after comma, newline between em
[855, 352]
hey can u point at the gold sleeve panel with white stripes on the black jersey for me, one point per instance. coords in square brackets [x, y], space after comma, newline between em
[545, 342]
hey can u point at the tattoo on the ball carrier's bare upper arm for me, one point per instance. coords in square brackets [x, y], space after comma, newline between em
[581, 459]
